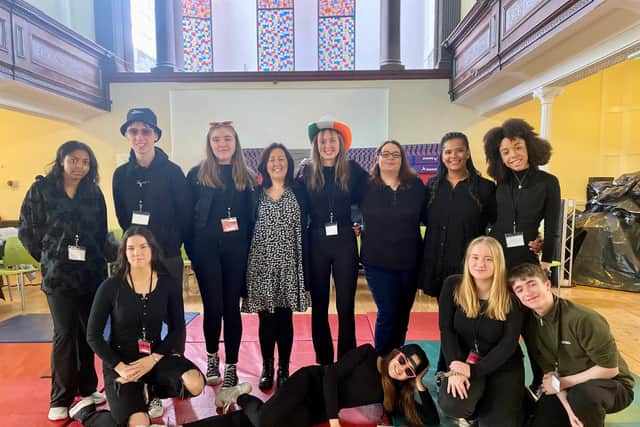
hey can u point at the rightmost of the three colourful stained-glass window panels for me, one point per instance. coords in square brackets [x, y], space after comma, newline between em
[336, 35]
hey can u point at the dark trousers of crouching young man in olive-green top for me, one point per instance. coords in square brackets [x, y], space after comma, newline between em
[590, 401]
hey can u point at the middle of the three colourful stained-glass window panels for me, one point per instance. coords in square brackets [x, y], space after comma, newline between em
[275, 35]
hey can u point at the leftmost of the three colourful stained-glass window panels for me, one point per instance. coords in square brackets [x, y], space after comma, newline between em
[197, 35]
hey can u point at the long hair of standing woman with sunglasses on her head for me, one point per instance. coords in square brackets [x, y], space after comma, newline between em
[209, 173]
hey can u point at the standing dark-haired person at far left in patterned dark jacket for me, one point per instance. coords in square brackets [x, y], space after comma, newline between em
[63, 224]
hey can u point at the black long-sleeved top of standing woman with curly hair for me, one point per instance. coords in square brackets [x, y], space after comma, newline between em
[539, 199]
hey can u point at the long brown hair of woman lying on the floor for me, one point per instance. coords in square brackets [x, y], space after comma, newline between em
[398, 395]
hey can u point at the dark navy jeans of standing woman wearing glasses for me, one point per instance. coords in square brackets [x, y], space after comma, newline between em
[393, 293]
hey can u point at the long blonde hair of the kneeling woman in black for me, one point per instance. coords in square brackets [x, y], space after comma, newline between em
[466, 296]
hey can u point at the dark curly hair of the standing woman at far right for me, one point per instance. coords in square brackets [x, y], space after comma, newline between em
[538, 149]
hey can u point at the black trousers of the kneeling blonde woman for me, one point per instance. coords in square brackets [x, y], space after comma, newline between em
[496, 400]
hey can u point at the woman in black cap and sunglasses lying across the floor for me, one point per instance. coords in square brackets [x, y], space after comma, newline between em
[315, 394]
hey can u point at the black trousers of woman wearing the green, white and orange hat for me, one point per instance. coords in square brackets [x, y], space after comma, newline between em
[337, 255]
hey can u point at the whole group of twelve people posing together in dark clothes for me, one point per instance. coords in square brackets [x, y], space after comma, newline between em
[271, 243]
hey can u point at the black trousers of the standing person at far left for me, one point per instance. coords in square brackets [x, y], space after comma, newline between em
[72, 361]
